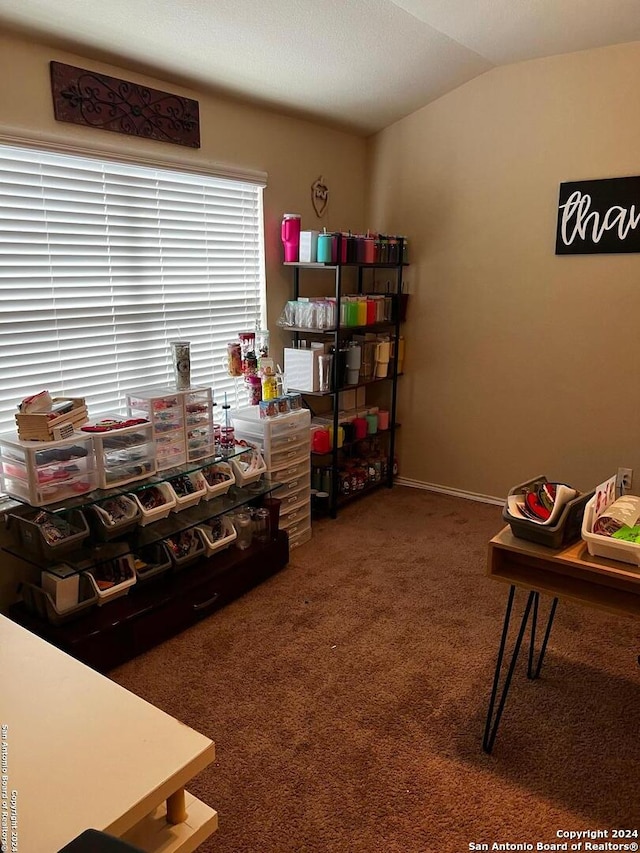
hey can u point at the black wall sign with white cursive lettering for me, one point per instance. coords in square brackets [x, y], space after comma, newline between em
[599, 217]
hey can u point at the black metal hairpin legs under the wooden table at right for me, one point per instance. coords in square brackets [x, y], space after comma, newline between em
[533, 671]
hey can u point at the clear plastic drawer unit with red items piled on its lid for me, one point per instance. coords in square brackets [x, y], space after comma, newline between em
[123, 454]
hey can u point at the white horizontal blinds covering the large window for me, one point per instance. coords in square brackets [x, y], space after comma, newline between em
[102, 264]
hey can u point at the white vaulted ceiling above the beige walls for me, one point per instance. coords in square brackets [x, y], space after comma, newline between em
[356, 64]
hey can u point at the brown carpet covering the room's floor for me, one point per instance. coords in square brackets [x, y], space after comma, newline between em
[347, 697]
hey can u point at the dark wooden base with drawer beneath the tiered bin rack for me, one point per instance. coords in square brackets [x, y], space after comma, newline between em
[161, 607]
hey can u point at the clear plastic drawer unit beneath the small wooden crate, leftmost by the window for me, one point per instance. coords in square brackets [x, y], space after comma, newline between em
[43, 473]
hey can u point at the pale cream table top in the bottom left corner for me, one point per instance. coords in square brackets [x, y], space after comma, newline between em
[79, 750]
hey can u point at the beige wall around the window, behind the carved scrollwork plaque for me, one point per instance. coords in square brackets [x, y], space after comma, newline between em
[292, 152]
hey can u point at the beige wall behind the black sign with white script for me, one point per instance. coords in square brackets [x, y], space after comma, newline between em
[518, 362]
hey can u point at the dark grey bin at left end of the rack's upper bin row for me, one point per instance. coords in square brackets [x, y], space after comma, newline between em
[38, 532]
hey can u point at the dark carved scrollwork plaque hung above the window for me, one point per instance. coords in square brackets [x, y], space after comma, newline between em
[96, 100]
